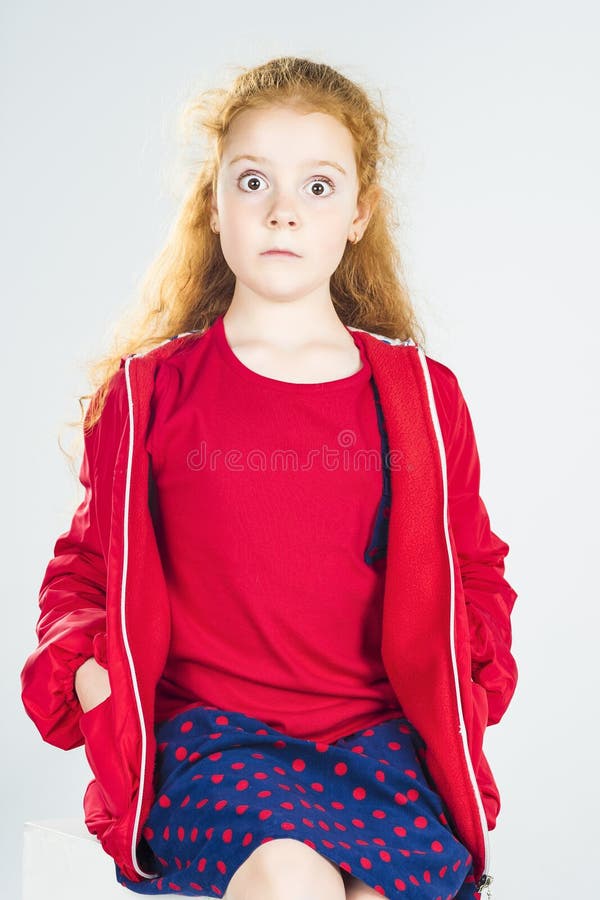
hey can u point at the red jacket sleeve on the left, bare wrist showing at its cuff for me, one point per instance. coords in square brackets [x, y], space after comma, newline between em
[72, 610]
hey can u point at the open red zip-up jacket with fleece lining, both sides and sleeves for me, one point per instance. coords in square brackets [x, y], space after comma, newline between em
[446, 619]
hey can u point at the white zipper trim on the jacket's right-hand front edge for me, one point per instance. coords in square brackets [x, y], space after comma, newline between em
[462, 730]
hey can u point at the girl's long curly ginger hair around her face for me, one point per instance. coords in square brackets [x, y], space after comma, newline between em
[189, 284]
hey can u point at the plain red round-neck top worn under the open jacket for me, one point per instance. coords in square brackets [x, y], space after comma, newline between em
[266, 498]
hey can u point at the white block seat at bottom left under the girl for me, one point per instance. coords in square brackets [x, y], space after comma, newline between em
[63, 861]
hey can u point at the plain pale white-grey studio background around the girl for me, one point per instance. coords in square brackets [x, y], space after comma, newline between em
[496, 107]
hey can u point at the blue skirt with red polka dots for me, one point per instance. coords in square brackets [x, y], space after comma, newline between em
[226, 782]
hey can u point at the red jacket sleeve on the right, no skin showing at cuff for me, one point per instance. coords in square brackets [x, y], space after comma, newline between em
[481, 553]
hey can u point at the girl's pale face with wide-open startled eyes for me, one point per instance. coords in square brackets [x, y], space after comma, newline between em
[287, 181]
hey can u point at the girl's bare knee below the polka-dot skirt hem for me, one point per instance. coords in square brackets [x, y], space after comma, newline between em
[286, 869]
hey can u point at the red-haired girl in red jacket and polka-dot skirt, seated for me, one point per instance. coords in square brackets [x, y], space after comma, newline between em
[279, 621]
